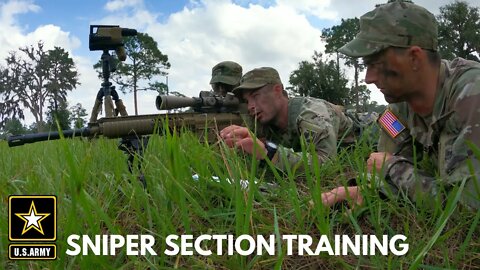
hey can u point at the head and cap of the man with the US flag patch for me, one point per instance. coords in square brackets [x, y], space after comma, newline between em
[398, 43]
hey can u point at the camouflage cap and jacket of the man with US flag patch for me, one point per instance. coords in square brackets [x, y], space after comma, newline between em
[440, 137]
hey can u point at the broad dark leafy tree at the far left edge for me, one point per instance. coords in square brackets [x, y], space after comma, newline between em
[28, 80]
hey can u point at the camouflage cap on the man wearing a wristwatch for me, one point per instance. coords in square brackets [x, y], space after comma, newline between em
[257, 78]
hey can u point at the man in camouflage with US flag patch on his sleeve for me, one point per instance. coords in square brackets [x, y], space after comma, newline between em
[434, 105]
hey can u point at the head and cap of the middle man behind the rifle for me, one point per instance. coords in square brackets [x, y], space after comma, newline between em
[263, 91]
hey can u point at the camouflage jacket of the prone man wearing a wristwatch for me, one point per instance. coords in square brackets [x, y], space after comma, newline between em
[316, 121]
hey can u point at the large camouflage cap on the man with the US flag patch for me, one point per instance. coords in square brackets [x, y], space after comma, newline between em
[399, 23]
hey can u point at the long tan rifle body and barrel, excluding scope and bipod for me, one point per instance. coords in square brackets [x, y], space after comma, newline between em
[203, 124]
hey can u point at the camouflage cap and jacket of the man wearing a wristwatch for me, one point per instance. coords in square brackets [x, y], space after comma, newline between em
[319, 122]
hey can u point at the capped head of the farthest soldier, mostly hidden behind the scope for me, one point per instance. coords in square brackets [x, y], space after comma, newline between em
[226, 75]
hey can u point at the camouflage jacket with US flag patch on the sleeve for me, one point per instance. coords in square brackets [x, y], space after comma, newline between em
[443, 136]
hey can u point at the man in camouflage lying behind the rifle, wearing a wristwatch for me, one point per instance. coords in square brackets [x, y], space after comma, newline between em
[285, 121]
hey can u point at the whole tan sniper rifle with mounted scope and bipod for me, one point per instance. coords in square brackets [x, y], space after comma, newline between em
[211, 114]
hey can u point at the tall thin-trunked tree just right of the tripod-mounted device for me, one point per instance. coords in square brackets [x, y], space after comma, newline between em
[145, 61]
